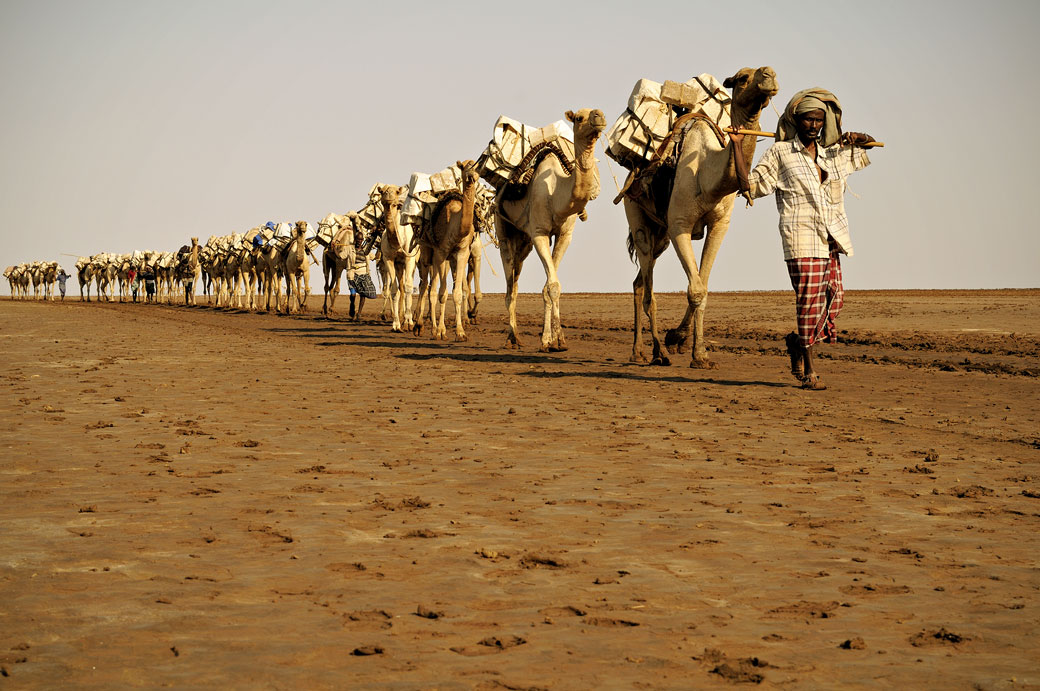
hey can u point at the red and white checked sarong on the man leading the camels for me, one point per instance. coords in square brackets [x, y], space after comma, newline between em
[819, 297]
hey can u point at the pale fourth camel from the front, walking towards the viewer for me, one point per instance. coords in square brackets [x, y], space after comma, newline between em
[399, 255]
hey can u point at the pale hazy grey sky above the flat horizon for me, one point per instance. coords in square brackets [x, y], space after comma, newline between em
[139, 124]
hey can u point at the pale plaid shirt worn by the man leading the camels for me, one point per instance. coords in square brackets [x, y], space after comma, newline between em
[810, 210]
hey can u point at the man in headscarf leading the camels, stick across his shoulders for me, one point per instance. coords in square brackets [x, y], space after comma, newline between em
[808, 169]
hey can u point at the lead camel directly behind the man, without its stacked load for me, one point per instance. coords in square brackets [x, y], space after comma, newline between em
[700, 204]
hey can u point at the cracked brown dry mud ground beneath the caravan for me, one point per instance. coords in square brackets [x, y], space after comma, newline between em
[196, 498]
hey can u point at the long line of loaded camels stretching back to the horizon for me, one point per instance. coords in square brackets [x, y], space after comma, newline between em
[525, 192]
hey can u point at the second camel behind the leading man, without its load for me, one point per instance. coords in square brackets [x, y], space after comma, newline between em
[551, 206]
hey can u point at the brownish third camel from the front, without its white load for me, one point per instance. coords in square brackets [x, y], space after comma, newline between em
[451, 238]
